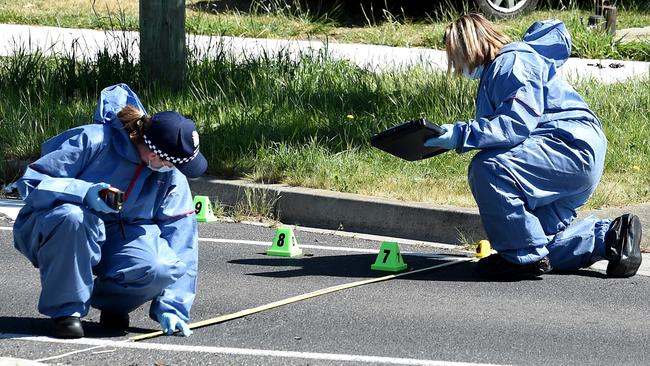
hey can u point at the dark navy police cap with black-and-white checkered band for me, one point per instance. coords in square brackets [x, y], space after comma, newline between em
[174, 138]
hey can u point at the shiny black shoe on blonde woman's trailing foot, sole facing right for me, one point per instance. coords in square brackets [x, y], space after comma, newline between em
[623, 246]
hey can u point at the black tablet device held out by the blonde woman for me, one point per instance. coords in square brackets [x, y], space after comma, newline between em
[406, 140]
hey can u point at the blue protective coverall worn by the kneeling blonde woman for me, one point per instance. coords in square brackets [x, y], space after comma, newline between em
[542, 154]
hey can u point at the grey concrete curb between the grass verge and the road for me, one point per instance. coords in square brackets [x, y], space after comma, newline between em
[370, 215]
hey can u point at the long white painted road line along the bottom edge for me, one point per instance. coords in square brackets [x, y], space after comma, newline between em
[241, 351]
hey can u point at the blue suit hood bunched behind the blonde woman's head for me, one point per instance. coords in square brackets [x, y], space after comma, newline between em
[551, 39]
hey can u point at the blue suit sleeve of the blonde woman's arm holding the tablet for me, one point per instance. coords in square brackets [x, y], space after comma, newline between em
[514, 90]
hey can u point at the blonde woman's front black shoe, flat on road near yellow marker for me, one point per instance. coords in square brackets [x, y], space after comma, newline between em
[494, 267]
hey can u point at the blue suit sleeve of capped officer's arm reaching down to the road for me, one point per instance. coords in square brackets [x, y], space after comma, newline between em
[177, 222]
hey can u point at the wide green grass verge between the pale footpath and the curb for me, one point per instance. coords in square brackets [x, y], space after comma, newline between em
[306, 122]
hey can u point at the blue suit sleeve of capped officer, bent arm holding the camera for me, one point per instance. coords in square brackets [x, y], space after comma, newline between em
[52, 178]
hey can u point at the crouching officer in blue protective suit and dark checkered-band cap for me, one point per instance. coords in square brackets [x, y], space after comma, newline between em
[90, 254]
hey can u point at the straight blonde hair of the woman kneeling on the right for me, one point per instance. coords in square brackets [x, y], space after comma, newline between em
[471, 41]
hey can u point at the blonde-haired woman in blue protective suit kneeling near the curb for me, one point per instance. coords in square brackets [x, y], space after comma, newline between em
[542, 155]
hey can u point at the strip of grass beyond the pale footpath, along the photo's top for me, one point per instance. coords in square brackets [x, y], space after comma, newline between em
[286, 19]
